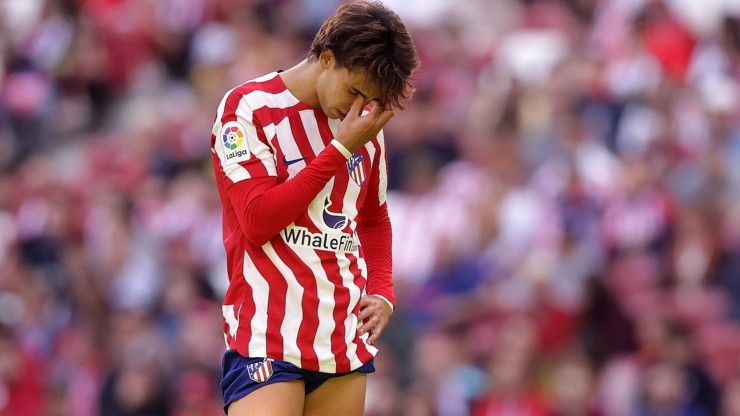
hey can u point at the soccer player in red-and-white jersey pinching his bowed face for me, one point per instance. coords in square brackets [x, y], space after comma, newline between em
[300, 165]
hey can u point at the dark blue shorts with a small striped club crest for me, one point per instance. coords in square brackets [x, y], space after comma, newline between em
[242, 375]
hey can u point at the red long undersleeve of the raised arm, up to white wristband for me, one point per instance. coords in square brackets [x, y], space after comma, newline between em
[265, 207]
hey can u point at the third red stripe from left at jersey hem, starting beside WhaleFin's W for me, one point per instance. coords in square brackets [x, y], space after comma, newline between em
[309, 303]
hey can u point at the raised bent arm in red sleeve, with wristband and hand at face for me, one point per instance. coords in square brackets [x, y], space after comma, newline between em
[265, 207]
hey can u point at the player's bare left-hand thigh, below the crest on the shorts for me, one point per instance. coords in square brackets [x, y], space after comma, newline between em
[278, 399]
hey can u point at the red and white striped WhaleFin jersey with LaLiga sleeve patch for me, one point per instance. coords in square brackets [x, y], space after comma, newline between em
[296, 297]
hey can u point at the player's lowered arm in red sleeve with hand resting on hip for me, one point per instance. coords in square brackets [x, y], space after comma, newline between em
[375, 233]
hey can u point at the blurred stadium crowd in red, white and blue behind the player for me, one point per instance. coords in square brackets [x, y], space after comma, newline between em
[564, 191]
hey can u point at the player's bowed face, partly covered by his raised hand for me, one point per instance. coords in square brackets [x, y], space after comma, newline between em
[338, 87]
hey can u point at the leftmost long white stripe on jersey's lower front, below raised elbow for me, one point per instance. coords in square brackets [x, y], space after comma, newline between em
[260, 294]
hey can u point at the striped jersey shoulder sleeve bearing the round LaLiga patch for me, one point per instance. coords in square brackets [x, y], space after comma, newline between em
[240, 142]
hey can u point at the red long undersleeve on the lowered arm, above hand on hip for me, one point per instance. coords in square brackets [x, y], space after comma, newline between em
[376, 238]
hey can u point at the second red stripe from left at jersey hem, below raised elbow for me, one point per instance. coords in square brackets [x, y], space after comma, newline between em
[276, 305]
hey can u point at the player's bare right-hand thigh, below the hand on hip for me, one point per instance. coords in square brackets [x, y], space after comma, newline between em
[338, 396]
